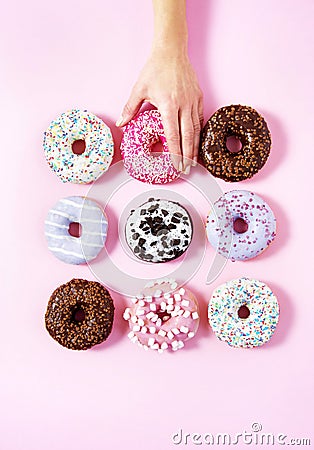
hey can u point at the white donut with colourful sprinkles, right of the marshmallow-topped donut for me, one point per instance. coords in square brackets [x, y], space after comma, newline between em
[243, 312]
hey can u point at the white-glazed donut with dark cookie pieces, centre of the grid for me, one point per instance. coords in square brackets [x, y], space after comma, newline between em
[159, 230]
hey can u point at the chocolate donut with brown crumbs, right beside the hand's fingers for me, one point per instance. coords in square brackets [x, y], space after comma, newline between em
[246, 124]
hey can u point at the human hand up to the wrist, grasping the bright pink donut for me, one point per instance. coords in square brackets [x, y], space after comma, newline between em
[170, 84]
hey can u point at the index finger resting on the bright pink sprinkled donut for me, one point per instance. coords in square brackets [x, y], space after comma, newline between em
[170, 121]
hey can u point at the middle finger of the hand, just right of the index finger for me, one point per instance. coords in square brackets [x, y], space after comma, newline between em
[187, 139]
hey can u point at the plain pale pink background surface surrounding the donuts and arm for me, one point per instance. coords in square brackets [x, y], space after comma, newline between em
[63, 54]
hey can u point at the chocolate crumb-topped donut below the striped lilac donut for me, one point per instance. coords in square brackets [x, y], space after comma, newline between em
[80, 314]
